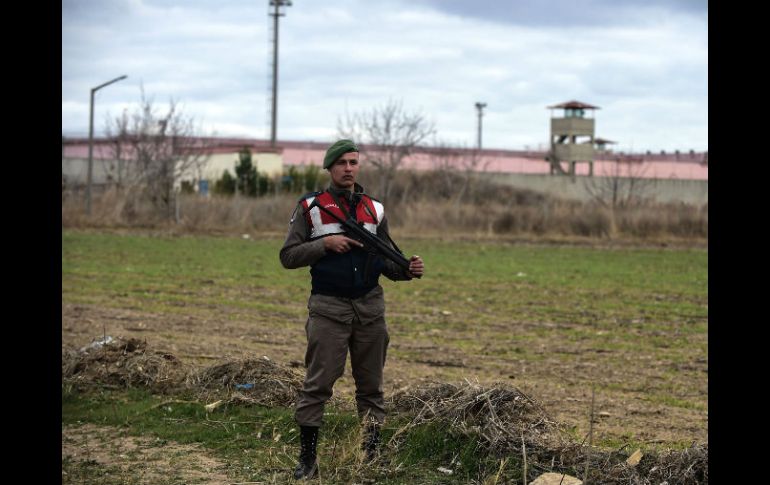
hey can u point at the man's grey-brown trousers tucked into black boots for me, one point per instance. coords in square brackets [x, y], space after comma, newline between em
[328, 343]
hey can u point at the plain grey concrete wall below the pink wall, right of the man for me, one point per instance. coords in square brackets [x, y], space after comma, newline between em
[581, 187]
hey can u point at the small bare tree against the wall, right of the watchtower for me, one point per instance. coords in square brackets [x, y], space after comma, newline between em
[622, 185]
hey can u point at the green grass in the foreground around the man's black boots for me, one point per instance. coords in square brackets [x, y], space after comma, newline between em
[258, 443]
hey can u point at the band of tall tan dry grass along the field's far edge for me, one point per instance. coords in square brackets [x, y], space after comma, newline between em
[438, 208]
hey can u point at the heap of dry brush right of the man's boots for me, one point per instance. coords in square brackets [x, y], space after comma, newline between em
[511, 424]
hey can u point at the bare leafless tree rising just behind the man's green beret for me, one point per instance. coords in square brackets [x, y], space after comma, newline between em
[386, 136]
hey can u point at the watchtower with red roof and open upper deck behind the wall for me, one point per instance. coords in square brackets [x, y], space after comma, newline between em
[572, 137]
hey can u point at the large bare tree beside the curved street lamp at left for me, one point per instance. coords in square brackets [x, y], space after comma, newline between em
[155, 149]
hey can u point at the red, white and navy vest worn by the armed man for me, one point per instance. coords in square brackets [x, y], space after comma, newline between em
[351, 274]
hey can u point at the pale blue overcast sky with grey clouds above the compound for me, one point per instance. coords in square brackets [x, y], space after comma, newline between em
[643, 62]
